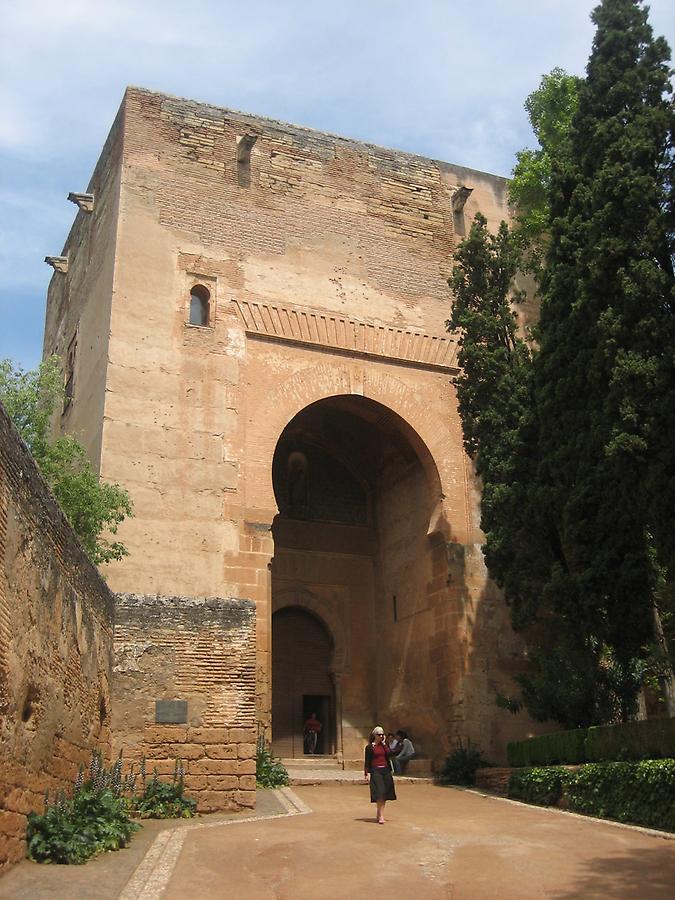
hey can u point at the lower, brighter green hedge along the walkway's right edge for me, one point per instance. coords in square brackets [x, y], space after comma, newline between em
[641, 793]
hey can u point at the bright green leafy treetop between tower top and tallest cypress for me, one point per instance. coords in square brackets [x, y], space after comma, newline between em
[550, 110]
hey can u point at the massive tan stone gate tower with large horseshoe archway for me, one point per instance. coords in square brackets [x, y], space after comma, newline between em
[251, 321]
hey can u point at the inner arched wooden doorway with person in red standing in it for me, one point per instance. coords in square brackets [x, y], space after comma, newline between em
[301, 681]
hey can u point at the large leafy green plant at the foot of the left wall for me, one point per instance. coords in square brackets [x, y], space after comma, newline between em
[96, 818]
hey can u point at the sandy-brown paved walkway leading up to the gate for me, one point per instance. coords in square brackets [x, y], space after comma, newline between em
[321, 843]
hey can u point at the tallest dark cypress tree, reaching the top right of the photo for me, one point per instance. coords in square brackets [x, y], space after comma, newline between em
[604, 373]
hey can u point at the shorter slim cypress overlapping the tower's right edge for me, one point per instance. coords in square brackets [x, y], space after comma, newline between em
[494, 393]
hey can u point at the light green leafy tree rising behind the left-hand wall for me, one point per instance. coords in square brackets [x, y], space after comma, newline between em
[94, 508]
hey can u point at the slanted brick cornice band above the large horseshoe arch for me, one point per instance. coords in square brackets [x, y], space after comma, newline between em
[323, 329]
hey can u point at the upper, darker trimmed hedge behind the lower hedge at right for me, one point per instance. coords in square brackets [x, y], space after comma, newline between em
[651, 739]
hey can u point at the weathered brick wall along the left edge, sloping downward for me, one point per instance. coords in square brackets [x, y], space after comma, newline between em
[56, 622]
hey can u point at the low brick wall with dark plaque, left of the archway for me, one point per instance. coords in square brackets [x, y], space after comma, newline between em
[200, 651]
